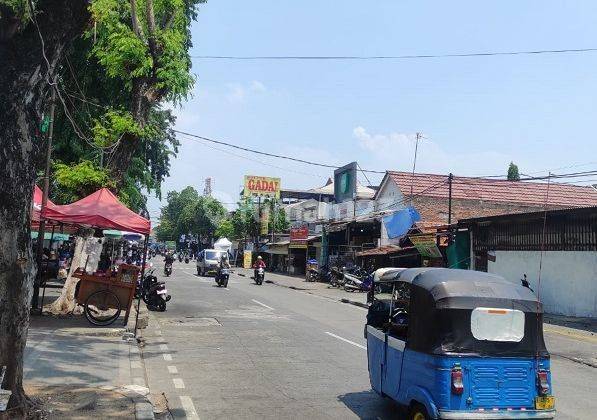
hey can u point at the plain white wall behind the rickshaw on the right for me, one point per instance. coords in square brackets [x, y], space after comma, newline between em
[568, 278]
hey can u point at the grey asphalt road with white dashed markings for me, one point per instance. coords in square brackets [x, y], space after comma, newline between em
[270, 352]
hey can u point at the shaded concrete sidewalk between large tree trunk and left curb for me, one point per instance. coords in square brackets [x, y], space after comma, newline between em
[68, 351]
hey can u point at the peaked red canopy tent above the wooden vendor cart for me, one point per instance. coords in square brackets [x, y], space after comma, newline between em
[101, 210]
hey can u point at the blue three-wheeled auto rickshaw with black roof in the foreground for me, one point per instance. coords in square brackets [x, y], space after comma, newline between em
[459, 344]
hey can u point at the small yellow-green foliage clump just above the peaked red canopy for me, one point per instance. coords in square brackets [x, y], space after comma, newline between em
[73, 182]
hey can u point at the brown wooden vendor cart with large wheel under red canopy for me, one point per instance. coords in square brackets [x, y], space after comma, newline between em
[104, 296]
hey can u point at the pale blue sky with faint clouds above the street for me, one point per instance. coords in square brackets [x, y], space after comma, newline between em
[478, 114]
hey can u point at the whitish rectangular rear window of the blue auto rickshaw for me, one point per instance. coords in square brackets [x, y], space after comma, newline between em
[497, 324]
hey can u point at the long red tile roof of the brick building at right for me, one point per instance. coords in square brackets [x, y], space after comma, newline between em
[483, 189]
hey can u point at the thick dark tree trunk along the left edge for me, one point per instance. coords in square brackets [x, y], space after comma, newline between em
[24, 95]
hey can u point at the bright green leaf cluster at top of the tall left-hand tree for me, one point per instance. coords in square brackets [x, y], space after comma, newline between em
[158, 53]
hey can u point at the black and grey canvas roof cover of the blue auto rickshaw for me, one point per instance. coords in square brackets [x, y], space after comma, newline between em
[441, 302]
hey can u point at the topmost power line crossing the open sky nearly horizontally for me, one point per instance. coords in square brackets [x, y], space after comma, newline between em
[388, 57]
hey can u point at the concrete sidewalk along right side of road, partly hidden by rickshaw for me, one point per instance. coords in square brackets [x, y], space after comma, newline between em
[571, 338]
